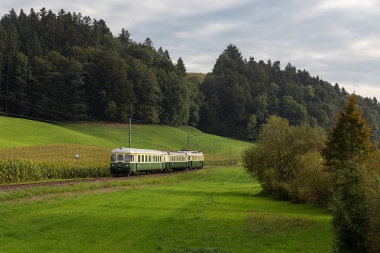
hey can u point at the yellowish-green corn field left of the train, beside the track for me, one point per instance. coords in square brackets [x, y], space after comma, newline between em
[39, 163]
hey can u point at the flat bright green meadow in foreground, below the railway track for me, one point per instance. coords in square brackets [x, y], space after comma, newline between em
[210, 210]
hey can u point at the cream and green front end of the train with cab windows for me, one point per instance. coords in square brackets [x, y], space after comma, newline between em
[122, 161]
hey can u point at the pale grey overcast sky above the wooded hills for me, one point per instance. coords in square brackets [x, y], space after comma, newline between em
[338, 40]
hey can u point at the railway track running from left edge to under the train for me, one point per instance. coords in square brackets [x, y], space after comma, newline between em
[23, 186]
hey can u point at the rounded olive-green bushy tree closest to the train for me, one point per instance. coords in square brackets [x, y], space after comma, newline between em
[274, 159]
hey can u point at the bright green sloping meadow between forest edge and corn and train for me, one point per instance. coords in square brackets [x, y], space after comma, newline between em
[27, 134]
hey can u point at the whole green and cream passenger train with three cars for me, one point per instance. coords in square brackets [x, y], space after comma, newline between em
[132, 161]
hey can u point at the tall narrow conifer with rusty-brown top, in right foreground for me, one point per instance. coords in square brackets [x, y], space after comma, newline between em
[345, 153]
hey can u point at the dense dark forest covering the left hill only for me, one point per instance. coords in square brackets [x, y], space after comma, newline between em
[67, 66]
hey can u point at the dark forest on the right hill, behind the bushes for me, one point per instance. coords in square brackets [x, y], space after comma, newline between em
[240, 95]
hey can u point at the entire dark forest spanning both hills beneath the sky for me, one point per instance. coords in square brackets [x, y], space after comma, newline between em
[67, 67]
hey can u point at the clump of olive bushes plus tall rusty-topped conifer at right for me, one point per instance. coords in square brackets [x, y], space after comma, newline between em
[298, 163]
